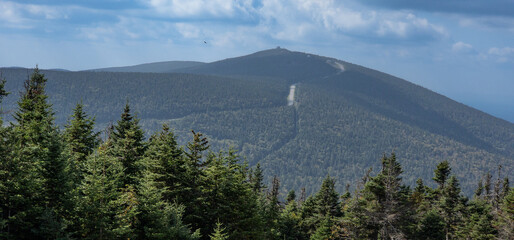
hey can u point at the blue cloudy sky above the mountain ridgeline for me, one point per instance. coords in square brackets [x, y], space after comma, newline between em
[463, 49]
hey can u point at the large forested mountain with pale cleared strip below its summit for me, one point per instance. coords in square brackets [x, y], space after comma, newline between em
[342, 119]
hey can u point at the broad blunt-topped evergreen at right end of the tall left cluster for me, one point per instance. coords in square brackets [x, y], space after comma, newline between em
[229, 198]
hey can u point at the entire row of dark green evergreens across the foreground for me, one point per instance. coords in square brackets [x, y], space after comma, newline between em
[73, 185]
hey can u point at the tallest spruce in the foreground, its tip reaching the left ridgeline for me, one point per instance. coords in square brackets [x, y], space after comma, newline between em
[37, 197]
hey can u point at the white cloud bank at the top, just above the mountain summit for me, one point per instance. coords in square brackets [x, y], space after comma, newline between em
[333, 17]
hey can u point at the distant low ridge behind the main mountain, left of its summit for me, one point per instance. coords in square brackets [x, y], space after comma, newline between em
[157, 67]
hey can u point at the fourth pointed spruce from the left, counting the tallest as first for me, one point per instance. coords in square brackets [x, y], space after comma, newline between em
[160, 217]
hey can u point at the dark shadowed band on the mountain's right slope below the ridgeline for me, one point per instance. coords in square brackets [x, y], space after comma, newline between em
[383, 98]
